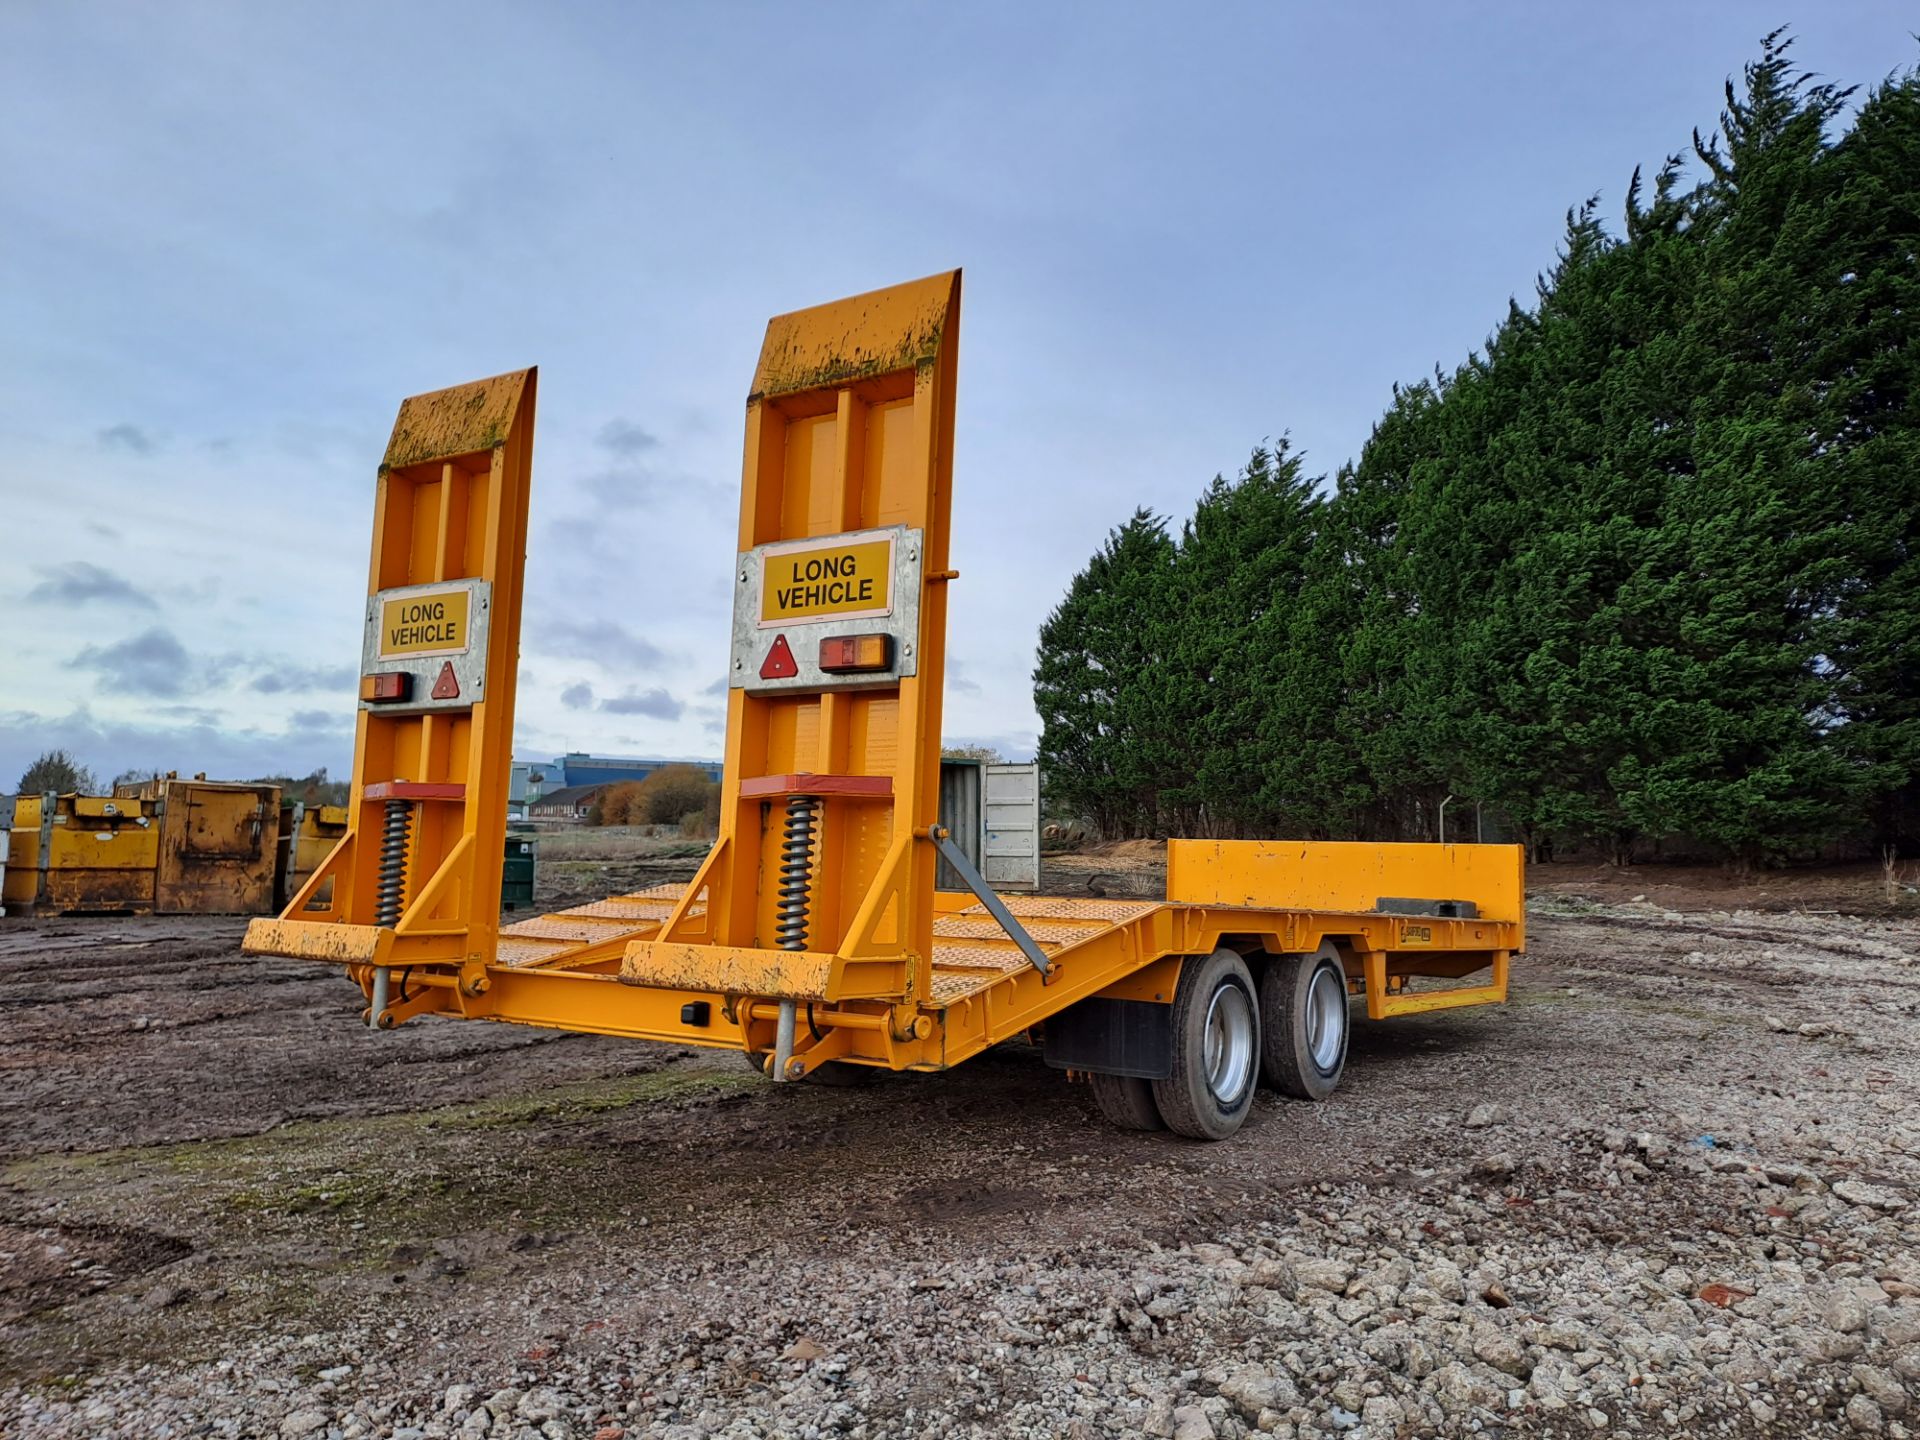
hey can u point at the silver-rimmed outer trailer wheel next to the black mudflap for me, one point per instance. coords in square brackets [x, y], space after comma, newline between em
[1216, 1049]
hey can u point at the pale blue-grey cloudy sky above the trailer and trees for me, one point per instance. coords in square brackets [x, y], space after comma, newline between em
[235, 235]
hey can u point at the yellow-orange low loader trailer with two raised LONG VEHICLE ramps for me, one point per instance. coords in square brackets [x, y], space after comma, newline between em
[813, 938]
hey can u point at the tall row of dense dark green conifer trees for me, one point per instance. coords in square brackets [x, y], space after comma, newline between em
[1643, 575]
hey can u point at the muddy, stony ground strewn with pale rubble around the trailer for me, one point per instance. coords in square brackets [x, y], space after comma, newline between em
[1668, 1189]
